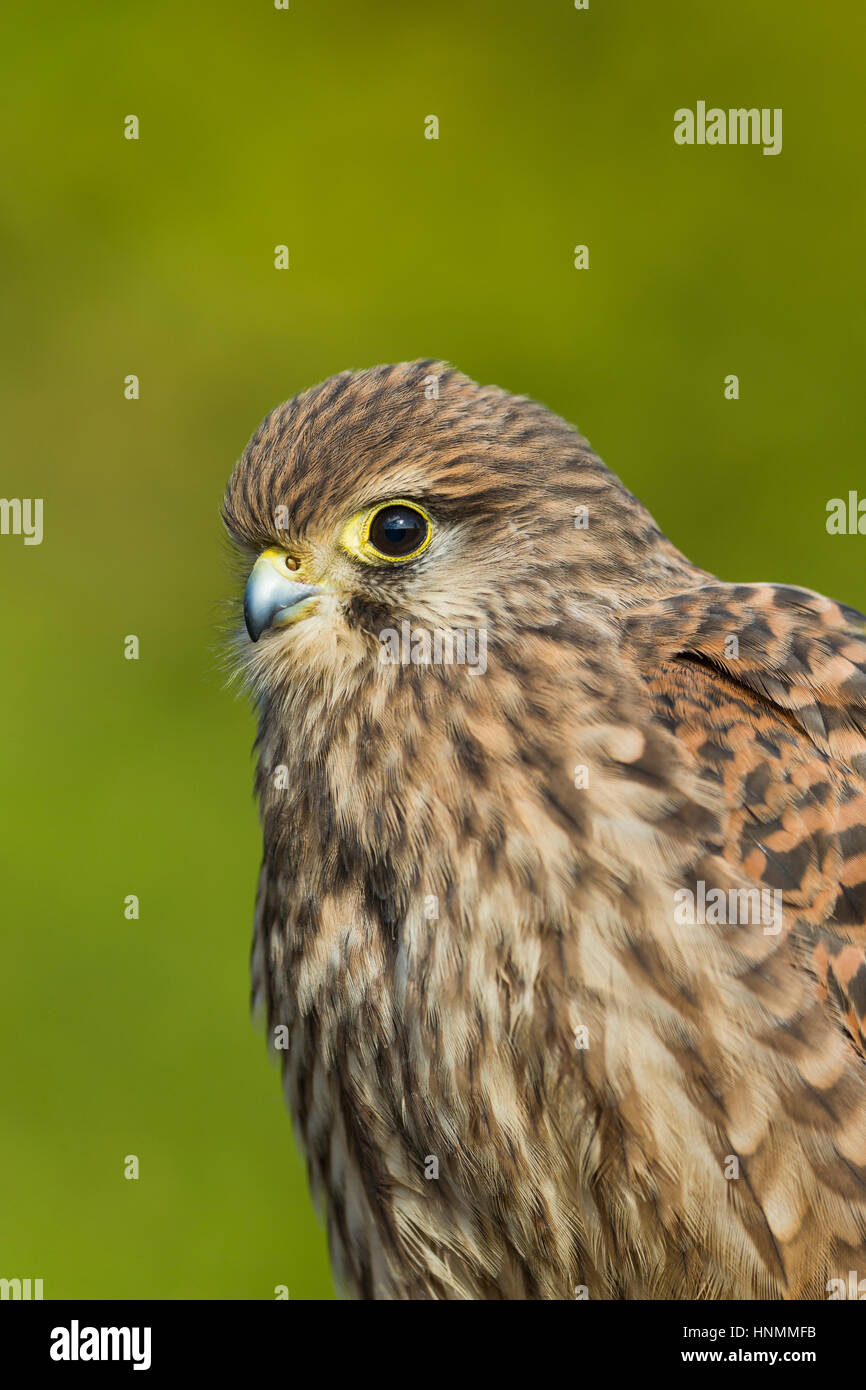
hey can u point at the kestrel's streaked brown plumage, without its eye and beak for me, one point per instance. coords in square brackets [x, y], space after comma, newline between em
[469, 911]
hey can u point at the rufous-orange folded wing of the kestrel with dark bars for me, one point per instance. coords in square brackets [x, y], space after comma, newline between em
[764, 687]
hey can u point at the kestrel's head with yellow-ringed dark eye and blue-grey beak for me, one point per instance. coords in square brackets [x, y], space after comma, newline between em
[409, 494]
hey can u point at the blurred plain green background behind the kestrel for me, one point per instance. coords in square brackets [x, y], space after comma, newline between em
[156, 258]
